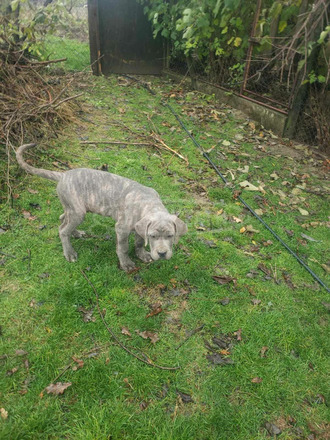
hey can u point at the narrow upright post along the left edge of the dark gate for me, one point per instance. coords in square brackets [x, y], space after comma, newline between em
[94, 36]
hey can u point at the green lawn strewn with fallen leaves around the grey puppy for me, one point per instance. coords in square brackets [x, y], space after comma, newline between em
[267, 317]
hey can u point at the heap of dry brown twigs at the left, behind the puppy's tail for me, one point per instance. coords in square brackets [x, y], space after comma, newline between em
[32, 103]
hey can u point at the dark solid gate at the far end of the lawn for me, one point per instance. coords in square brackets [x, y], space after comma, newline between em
[121, 38]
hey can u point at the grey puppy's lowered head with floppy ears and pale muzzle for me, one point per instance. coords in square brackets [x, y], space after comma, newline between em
[161, 231]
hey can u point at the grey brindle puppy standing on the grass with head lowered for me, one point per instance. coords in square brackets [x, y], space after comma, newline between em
[134, 207]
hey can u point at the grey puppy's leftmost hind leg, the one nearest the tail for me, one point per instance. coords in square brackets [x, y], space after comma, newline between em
[70, 220]
